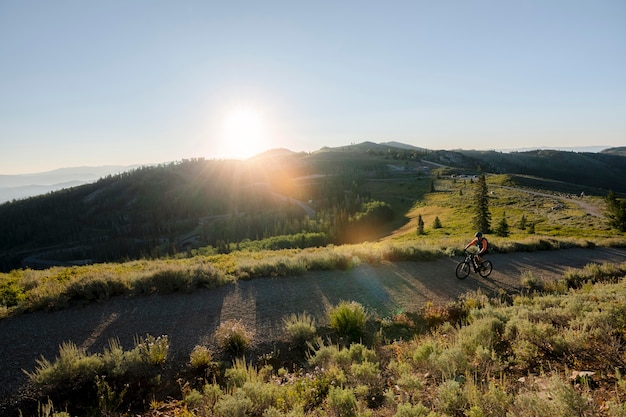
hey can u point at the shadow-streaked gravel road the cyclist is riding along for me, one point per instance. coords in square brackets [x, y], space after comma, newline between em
[190, 319]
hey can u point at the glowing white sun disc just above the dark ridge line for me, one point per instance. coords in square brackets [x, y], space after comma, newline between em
[243, 134]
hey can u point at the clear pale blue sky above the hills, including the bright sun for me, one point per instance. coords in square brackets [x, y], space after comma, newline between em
[124, 82]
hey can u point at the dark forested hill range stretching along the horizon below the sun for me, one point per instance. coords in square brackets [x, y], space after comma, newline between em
[338, 195]
